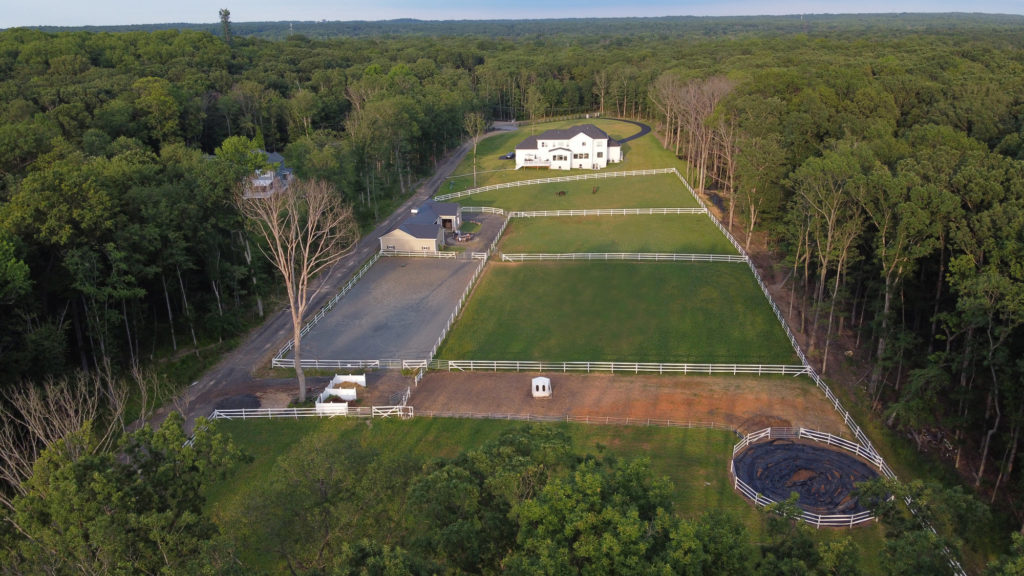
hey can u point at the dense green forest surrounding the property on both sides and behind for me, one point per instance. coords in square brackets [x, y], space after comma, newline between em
[879, 161]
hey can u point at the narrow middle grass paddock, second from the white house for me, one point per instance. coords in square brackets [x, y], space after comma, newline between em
[681, 234]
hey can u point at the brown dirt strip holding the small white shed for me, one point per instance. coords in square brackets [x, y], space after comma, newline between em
[746, 404]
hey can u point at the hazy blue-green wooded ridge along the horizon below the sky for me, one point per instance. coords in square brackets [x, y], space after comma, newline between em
[667, 26]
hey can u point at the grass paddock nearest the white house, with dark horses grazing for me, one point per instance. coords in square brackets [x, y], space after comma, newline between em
[659, 191]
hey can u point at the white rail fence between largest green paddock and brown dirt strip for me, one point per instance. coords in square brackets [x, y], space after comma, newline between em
[626, 367]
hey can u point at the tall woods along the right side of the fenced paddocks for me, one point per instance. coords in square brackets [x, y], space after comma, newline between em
[888, 181]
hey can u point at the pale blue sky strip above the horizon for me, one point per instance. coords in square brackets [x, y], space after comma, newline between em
[100, 13]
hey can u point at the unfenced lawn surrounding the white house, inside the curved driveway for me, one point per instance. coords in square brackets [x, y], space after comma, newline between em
[641, 154]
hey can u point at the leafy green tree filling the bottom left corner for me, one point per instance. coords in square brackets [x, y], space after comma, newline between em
[135, 511]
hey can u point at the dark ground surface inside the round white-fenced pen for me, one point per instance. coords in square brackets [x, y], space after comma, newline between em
[824, 478]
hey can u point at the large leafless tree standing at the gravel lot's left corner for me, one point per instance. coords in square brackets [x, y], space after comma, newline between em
[307, 230]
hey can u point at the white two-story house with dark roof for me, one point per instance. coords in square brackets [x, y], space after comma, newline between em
[585, 147]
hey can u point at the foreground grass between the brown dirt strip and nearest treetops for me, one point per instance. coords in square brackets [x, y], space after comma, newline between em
[696, 462]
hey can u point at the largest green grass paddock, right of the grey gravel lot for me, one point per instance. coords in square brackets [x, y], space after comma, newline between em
[621, 312]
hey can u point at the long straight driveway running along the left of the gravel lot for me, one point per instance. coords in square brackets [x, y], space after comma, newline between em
[260, 348]
